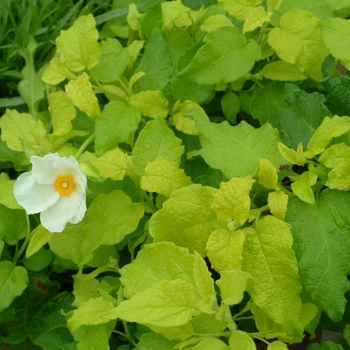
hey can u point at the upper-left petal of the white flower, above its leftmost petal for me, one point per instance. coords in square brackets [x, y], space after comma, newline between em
[43, 168]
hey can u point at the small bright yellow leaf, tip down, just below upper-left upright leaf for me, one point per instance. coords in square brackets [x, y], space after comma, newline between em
[80, 92]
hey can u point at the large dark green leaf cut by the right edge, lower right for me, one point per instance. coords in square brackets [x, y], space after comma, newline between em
[321, 244]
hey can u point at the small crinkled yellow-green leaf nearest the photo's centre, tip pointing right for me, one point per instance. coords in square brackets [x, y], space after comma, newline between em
[164, 177]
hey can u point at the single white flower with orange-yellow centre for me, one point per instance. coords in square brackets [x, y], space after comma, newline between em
[55, 188]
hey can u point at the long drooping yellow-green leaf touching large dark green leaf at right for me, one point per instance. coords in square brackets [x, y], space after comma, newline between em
[276, 285]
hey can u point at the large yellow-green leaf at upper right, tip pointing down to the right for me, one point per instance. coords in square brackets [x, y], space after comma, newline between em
[303, 48]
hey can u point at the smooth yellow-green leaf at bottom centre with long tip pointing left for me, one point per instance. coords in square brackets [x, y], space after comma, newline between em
[164, 304]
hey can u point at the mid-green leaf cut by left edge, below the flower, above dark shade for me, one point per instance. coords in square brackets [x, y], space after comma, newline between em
[13, 281]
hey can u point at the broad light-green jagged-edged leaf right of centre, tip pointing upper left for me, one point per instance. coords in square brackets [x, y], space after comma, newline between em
[236, 151]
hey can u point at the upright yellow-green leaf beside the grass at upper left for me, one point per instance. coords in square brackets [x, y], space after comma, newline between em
[77, 47]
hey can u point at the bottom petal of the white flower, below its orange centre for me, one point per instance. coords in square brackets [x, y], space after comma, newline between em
[56, 217]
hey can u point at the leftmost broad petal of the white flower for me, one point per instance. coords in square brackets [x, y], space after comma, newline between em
[32, 196]
